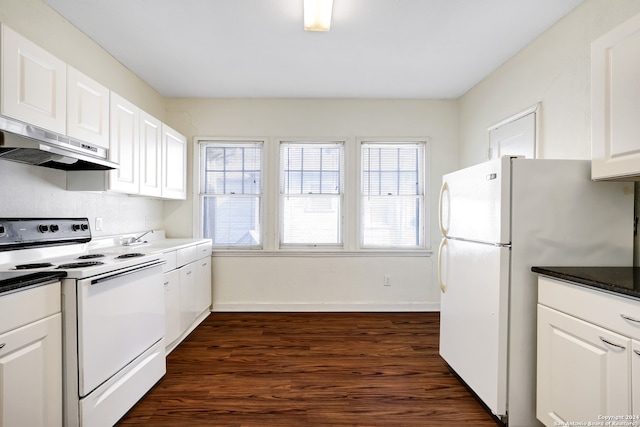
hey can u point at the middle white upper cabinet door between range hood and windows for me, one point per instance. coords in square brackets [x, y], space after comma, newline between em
[150, 155]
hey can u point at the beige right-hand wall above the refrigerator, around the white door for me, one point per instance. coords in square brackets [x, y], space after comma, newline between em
[553, 70]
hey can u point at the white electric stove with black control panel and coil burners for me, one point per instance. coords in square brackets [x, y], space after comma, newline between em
[112, 310]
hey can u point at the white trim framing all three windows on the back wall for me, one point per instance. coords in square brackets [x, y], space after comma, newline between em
[351, 202]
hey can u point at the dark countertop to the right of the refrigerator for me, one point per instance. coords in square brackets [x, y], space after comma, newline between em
[619, 280]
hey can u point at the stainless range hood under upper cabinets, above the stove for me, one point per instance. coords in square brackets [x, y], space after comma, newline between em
[20, 142]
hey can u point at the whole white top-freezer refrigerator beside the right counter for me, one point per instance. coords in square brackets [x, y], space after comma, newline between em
[499, 219]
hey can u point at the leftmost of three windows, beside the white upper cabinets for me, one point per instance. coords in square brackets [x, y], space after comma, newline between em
[231, 193]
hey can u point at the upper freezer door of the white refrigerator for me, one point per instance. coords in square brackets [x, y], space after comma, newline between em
[475, 202]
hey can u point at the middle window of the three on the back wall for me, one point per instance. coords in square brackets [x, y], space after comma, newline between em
[311, 190]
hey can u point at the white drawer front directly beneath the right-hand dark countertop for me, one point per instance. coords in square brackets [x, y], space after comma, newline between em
[616, 313]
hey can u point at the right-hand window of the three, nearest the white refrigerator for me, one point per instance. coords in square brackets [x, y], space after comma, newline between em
[392, 200]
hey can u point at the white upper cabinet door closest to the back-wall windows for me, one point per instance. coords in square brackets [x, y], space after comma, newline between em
[174, 164]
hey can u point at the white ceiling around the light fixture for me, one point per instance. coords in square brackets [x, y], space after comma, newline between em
[257, 48]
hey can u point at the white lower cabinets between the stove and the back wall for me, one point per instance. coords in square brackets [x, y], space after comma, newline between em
[187, 290]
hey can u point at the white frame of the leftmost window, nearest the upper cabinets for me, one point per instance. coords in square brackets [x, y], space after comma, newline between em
[201, 145]
